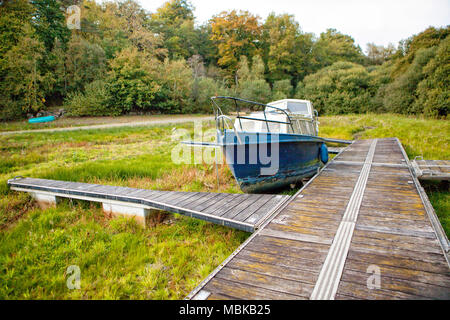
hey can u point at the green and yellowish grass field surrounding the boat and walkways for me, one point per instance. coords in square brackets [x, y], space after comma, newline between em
[119, 259]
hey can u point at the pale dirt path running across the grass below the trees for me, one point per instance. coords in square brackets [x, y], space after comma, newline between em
[115, 125]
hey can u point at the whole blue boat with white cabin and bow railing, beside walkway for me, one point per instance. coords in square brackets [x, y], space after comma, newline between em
[273, 148]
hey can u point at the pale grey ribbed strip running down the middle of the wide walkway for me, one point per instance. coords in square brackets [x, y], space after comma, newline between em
[331, 272]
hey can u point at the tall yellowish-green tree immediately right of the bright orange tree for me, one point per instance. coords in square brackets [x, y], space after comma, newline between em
[287, 48]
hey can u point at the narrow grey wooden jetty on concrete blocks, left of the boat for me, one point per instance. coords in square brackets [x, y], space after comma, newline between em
[241, 211]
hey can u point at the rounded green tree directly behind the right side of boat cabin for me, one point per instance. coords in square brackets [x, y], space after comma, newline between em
[338, 89]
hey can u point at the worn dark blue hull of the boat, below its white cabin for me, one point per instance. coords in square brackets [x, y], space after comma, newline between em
[263, 162]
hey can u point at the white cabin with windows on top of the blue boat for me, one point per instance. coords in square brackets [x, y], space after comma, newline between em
[282, 116]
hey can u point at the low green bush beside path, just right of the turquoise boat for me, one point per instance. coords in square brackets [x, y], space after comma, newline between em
[93, 102]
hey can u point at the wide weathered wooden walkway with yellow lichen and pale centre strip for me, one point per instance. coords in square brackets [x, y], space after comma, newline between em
[361, 229]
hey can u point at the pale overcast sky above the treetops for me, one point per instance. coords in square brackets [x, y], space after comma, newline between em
[378, 21]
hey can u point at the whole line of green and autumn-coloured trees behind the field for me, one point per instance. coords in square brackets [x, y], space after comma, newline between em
[120, 59]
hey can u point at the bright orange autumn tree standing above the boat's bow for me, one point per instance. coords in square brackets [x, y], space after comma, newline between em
[235, 35]
